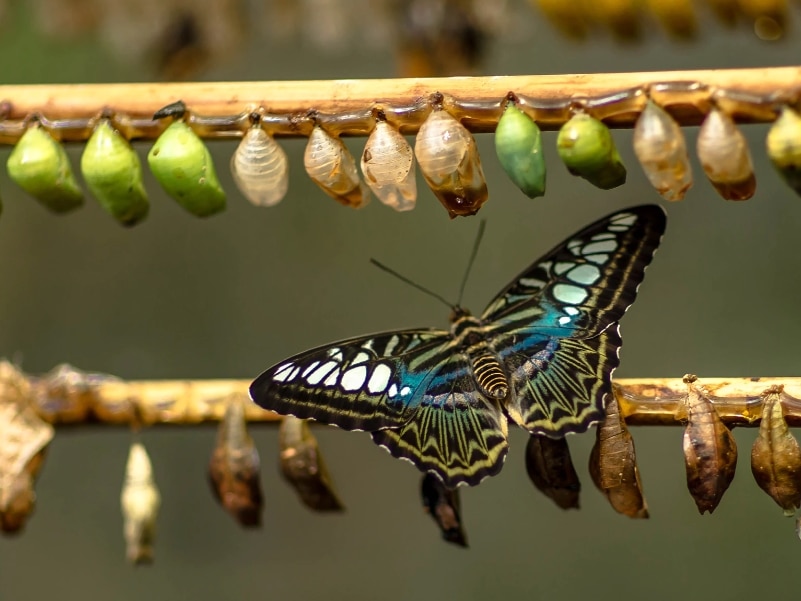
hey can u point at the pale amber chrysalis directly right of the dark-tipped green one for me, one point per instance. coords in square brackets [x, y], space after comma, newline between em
[660, 147]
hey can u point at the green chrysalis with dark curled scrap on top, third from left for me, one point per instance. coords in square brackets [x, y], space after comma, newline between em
[182, 165]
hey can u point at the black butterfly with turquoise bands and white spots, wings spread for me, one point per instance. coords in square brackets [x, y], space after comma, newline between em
[541, 355]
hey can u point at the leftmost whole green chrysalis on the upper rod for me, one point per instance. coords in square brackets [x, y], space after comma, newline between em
[40, 166]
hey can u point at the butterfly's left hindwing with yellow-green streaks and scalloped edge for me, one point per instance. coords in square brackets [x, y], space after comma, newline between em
[455, 432]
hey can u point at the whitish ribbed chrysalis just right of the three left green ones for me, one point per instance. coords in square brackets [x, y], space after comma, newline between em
[260, 168]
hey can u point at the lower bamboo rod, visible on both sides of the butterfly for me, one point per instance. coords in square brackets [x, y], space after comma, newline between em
[68, 396]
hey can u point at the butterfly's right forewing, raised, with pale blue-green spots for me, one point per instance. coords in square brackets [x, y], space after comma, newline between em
[586, 283]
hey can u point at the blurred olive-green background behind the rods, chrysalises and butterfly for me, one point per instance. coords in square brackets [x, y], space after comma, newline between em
[179, 297]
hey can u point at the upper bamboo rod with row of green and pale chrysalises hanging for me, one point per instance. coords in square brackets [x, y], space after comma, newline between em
[749, 95]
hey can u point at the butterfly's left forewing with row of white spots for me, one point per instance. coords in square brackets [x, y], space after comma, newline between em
[364, 383]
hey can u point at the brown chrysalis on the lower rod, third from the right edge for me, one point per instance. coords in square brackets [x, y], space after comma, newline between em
[613, 464]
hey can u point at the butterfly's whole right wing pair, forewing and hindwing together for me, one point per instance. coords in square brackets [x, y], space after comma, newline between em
[555, 326]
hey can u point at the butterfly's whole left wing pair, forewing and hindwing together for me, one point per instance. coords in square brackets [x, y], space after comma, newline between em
[412, 389]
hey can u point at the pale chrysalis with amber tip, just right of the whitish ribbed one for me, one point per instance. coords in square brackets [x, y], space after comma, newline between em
[332, 167]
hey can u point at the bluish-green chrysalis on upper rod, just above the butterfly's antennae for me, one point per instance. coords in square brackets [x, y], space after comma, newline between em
[518, 144]
